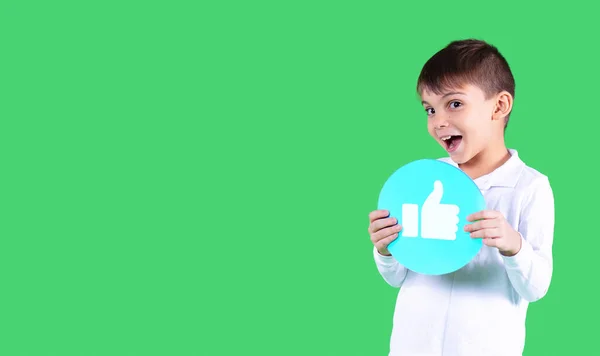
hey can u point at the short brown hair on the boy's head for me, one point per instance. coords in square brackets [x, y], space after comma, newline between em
[469, 61]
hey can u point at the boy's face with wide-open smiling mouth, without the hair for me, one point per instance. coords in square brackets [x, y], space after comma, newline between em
[460, 120]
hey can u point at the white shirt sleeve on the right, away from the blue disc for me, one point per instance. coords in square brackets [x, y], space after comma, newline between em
[530, 270]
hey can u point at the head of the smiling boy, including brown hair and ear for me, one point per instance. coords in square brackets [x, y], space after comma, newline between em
[467, 90]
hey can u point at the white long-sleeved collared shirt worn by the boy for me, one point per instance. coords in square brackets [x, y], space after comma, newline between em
[480, 309]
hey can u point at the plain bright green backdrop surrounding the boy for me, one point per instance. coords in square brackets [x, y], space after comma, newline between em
[194, 178]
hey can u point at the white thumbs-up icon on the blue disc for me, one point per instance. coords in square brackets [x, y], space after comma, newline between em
[438, 221]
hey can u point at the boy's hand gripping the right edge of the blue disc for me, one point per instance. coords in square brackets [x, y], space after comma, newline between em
[495, 231]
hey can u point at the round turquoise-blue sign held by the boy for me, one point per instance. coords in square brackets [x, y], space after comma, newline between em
[412, 184]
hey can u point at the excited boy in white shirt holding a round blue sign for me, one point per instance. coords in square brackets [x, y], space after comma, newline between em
[467, 90]
